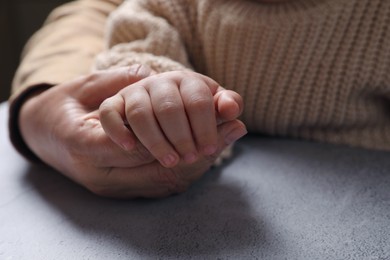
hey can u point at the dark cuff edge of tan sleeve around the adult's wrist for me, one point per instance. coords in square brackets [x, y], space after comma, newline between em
[13, 123]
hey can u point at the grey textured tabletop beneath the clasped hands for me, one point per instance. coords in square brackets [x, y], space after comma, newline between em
[277, 199]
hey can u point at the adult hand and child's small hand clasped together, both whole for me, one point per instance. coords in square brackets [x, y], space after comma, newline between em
[129, 132]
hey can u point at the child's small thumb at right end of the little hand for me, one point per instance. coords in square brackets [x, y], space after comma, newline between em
[228, 104]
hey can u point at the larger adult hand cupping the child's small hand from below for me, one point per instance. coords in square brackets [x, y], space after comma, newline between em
[62, 126]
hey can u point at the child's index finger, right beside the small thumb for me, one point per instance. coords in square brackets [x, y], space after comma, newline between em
[199, 105]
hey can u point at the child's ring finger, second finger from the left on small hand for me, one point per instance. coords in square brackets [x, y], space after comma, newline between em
[141, 118]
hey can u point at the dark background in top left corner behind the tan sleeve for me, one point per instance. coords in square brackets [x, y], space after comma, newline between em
[19, 19]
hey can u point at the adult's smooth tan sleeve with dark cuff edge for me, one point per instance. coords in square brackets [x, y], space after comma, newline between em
[63, 49]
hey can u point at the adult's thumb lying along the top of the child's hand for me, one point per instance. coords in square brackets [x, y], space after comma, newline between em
[93, 89]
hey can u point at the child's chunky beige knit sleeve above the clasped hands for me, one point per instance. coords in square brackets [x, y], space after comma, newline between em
[148, 32]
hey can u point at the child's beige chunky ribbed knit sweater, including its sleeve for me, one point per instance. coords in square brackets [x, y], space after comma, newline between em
[311, 69]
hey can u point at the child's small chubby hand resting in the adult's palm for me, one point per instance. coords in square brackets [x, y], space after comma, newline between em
[173, 114]
